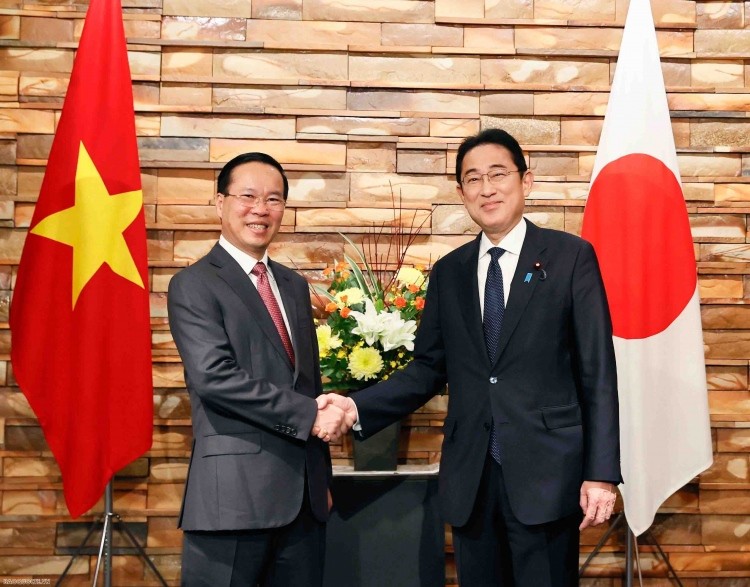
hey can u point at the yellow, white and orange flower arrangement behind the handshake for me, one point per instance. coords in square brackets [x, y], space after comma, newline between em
[373, 314]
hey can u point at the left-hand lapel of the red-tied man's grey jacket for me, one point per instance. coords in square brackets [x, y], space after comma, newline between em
[230, 271]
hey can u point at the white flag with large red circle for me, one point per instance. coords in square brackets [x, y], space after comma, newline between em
[637, 221]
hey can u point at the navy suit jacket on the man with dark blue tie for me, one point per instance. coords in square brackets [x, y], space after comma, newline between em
[552, 391]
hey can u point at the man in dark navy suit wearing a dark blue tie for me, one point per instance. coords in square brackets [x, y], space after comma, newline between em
[517, 323]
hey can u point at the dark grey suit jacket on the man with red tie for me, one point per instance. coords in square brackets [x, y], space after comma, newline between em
[252, 412]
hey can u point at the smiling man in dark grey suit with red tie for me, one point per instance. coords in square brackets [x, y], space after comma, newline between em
[256, 497]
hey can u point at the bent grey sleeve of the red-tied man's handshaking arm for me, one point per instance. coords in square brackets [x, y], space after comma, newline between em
[211, 370]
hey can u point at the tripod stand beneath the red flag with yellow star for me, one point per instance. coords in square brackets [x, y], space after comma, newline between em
[110, 519]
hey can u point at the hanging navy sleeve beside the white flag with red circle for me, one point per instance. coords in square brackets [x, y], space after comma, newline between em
[595, 359]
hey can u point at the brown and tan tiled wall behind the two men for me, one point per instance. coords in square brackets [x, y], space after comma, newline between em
[360, 99]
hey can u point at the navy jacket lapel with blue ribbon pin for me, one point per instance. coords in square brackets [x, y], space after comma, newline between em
[533, 251]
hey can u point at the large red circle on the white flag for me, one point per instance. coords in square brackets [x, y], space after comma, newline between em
[636, 219]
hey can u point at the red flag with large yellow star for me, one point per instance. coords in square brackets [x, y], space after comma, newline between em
[81, 348]
